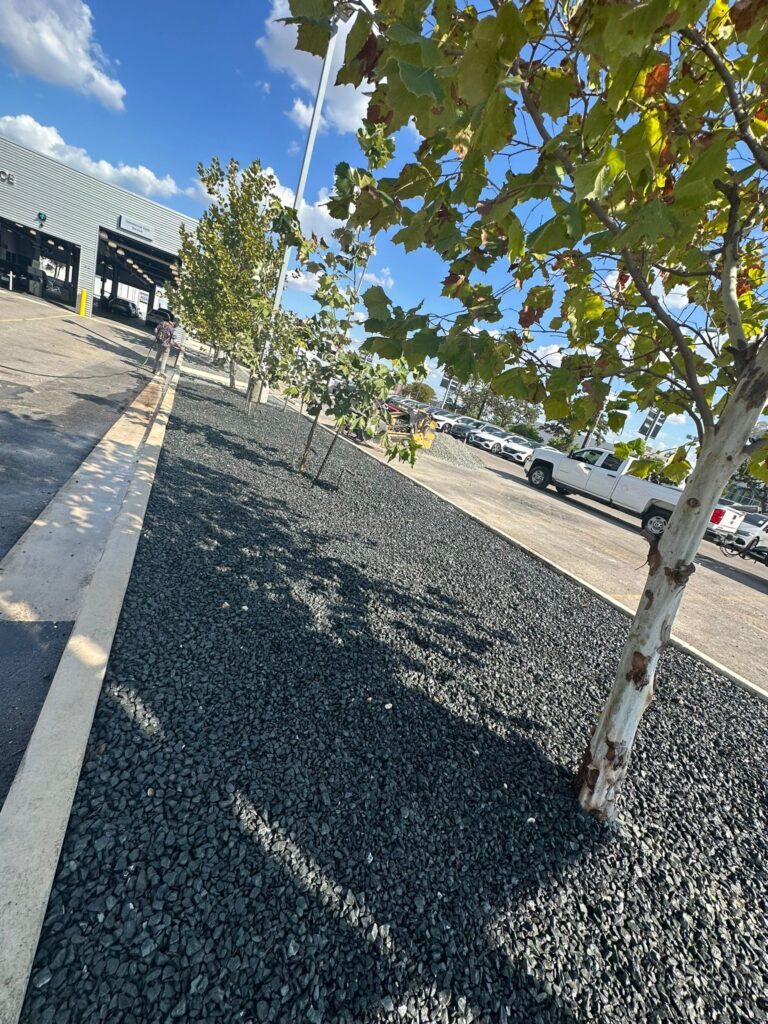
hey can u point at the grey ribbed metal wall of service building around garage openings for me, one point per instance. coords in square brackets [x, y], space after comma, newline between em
[76, 206]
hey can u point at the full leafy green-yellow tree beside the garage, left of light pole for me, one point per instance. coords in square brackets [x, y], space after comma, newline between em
[229, 266]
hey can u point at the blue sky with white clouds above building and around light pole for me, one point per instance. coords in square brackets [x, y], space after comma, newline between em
[139, 94]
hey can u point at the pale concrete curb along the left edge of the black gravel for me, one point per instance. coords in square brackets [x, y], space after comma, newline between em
[34, 819]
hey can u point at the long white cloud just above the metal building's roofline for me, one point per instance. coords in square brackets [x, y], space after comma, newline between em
[27, 132]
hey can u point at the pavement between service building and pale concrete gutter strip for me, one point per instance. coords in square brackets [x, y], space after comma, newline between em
[64, 381]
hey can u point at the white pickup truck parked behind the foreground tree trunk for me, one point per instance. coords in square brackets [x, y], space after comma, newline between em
[598, 474]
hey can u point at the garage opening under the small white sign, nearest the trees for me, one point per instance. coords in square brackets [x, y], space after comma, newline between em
[131, 280]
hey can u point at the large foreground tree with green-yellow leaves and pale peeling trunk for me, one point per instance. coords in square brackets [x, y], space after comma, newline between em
[610, 161]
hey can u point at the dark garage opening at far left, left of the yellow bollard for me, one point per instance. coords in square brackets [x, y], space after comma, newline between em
[39, 264]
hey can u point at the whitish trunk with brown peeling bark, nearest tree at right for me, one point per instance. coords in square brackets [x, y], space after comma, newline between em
[671, 565]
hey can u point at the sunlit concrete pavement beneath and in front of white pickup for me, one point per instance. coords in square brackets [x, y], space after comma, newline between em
[726, 610]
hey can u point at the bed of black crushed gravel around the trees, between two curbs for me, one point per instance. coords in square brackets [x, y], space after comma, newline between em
[329, 778]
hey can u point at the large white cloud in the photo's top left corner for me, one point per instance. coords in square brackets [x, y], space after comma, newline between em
[54, 40]
